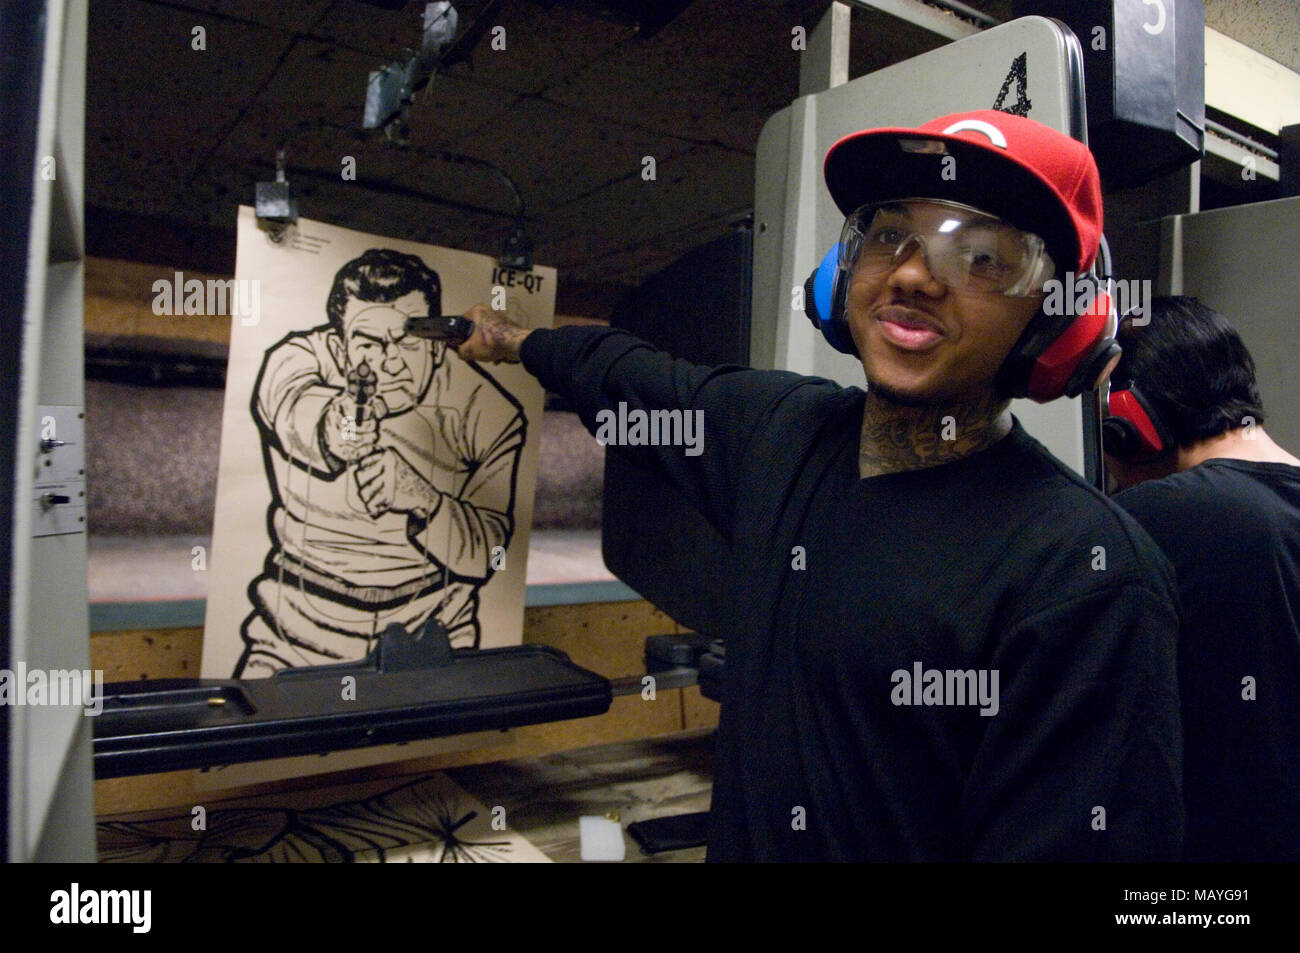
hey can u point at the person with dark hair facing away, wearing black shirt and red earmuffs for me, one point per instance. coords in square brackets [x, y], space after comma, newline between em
[1186, 440]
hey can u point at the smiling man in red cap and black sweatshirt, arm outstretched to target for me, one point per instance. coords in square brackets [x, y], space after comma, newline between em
[946, 646]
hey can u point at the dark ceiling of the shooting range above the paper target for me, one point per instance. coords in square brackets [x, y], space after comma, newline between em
[582, 94]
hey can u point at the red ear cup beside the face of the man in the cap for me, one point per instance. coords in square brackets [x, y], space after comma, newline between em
[1064, 356]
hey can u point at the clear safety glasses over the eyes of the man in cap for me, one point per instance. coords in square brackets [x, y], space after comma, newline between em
[965, 249]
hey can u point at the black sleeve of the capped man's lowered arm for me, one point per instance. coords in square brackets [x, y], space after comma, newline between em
[1084, 761]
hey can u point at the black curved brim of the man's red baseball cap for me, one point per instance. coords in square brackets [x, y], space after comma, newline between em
[883, 164]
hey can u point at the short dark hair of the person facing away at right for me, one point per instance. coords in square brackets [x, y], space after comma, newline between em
[1191, 367]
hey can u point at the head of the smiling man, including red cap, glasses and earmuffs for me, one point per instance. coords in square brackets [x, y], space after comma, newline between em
[1009, 205]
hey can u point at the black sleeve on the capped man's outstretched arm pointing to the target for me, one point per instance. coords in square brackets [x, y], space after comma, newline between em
[601, 369]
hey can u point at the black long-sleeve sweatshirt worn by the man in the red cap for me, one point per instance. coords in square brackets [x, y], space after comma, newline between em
[1003, 562]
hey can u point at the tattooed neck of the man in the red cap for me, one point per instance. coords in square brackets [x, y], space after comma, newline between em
[899, 437]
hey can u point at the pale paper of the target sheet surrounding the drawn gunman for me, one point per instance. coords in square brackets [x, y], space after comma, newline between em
[294, 281]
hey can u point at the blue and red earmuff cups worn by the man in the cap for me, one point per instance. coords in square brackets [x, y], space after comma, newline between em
[1061, 356]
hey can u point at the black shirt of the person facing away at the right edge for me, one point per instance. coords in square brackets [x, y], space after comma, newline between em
[1232, 530]
